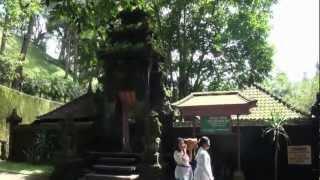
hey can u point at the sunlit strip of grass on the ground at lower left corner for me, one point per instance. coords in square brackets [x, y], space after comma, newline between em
[24, 168]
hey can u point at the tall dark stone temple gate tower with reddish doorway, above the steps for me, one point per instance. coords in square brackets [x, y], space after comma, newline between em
[133, 83]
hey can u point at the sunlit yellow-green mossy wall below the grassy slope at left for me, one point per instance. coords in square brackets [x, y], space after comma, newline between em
[28, 107]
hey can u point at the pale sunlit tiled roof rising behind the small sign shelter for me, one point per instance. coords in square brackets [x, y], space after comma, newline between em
[268, 103]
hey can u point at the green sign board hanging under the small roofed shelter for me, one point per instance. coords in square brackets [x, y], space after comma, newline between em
[215, 125]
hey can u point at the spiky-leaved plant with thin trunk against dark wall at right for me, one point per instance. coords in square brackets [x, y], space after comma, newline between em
[277, 131]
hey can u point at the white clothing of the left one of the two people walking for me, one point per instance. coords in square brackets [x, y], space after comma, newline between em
[183, 169]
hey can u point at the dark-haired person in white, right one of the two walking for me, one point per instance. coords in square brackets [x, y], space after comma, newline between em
[203, 169]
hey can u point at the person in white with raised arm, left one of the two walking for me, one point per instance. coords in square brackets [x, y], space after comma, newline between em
[183, 169]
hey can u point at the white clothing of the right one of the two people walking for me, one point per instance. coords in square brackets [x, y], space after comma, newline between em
[203, 169]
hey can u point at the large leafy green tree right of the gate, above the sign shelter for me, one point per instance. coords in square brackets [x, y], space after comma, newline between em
[213, 44]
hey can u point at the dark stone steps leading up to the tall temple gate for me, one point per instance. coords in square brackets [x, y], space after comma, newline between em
[113, 166]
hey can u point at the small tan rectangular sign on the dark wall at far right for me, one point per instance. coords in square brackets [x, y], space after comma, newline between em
[299, 155]
